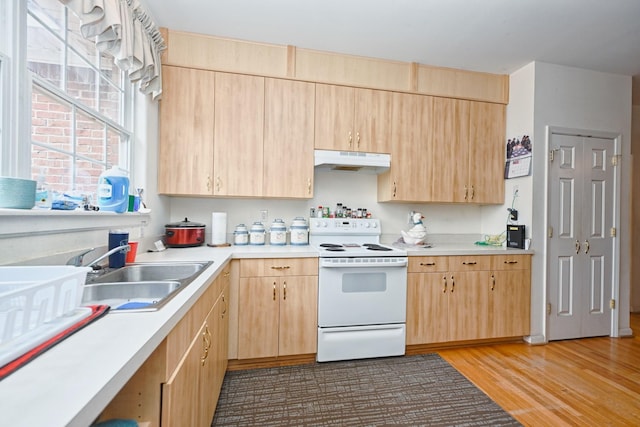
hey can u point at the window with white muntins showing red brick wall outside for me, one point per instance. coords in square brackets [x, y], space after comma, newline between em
[81, 102]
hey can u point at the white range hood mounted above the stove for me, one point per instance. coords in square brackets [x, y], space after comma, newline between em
[352, 161]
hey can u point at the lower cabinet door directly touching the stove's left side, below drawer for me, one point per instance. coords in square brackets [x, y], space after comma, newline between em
[298, 315]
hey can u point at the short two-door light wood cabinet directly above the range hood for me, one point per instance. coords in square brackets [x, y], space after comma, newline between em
[352, 119]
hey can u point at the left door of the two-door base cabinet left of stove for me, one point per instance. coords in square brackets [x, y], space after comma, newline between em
[258, 320]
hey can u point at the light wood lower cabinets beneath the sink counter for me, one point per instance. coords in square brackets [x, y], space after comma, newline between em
[180, 382]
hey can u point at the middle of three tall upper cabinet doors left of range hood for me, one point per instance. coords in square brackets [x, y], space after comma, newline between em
[238, 135]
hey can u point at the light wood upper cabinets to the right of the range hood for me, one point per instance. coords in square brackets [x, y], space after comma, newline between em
[445, 151]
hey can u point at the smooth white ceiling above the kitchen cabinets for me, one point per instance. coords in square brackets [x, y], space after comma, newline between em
[497, 36]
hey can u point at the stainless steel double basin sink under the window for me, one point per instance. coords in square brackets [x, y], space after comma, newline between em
[140, 287]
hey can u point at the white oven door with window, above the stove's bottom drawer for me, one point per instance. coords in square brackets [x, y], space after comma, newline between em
[362, 291]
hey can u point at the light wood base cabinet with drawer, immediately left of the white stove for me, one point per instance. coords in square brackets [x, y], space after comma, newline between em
[278, 299]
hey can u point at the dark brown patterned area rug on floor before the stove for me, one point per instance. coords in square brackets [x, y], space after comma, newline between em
[421, 390]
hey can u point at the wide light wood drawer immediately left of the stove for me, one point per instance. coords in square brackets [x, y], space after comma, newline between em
[279, 267]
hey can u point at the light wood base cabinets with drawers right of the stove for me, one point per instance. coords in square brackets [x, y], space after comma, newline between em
[461, 298]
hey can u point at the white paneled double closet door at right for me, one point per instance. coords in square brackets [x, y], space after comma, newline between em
[581, 188]
